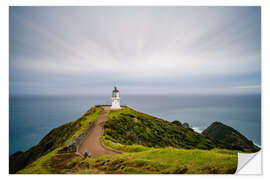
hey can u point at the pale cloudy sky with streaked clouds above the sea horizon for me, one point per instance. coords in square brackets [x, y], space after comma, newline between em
[141, 50]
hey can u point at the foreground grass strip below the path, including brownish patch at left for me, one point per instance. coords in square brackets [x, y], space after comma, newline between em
[139, 160]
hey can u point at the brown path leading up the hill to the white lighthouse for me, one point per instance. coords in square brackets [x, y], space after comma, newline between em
[92, 143]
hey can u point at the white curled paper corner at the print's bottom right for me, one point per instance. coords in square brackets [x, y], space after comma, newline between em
[249, 163]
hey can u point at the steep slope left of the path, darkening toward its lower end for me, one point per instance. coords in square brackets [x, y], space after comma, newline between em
[56, 138]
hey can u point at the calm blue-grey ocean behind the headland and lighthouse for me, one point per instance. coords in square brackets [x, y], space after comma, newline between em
[32, 117]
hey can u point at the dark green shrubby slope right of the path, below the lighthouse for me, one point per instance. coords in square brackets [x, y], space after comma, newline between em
[128, 127]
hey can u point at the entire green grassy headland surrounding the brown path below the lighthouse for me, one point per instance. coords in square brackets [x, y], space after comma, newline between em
[147, 145]
